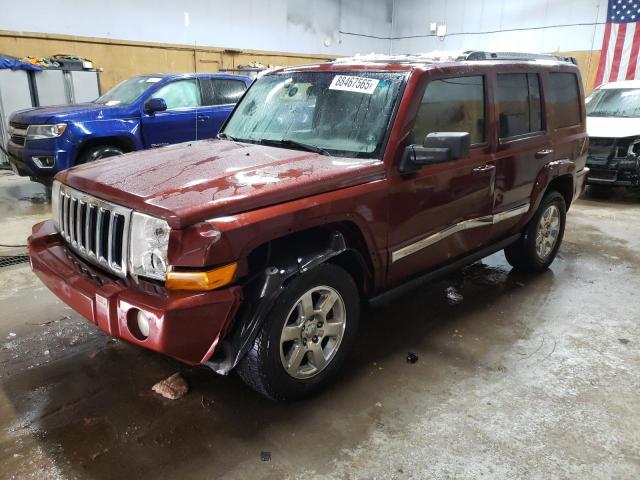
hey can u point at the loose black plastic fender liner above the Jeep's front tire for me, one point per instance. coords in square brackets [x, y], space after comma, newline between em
[260, 293]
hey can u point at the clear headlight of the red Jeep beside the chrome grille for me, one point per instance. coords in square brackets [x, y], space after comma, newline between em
[149, 243]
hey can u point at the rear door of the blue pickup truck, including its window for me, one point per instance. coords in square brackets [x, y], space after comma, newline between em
[219, 97]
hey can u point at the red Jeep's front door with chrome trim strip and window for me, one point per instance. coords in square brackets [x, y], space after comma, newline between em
[440, 212]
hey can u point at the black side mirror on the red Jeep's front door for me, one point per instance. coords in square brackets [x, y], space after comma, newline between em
[438, 147]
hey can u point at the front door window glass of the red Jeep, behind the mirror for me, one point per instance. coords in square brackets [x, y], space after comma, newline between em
[452, 105]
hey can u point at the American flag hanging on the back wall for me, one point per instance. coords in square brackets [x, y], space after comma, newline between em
[621, 43]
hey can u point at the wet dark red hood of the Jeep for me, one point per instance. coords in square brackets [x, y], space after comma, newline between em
[191, 182]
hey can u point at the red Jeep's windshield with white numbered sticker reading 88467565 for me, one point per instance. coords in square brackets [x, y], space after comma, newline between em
[328, 112]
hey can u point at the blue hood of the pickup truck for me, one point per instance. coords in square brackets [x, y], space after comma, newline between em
[63, 113]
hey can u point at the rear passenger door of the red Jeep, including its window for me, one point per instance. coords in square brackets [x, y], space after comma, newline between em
[523, 144]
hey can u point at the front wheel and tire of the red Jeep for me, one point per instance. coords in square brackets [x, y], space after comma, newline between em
[263, 367]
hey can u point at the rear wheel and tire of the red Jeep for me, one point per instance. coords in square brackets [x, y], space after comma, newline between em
[532, 253]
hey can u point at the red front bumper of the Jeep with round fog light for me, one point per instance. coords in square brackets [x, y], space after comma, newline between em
[184, 325]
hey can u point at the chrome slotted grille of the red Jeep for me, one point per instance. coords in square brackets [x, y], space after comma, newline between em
[95, 229]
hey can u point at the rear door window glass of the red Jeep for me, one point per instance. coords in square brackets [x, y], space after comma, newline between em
[519, 104]
